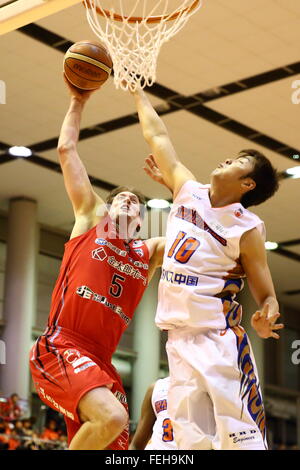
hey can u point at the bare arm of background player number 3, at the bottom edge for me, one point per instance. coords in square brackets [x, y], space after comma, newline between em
[145, 424]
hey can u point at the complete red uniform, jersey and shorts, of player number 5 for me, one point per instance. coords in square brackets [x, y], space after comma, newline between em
[100, 284]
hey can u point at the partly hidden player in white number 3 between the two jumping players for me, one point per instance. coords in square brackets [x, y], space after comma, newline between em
[154, 430]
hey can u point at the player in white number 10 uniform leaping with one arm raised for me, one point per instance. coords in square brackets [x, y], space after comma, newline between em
[213, 241]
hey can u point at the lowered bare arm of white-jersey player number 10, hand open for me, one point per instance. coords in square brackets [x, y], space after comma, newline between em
[254, 261]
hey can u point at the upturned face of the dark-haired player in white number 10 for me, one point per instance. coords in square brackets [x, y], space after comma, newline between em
[234, 169]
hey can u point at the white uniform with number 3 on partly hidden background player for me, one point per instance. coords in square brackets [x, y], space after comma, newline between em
[162, 434]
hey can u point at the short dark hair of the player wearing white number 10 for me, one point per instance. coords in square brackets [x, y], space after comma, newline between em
[265, 176]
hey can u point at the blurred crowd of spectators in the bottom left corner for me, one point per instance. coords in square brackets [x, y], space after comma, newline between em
[19, 433]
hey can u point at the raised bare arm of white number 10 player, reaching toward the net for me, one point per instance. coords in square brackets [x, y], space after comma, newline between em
[174, 173]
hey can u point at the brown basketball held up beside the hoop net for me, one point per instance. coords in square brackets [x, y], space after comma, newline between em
[87, 65]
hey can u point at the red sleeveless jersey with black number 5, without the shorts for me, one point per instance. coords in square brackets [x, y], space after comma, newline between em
[100, 284]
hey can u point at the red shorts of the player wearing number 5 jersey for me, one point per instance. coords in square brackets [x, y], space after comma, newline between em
[64, 367]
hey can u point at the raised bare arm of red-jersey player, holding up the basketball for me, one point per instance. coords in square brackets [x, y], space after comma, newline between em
[82, 196]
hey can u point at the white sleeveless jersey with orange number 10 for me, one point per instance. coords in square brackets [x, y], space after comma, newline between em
[201, 271]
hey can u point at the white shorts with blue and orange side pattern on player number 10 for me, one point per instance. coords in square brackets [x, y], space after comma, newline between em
[214, 398]
